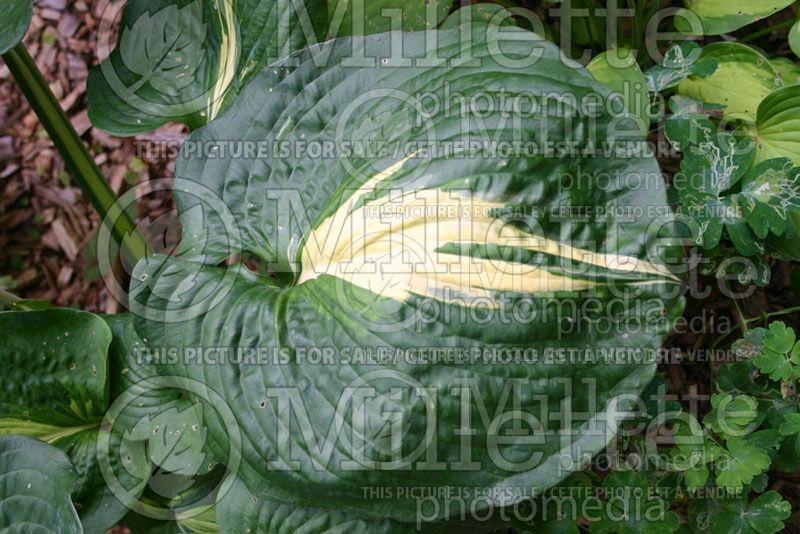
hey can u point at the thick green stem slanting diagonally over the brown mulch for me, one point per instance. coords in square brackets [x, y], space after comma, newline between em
[71, 147]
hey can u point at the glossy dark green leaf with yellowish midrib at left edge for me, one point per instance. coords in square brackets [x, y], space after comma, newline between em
[56, 390]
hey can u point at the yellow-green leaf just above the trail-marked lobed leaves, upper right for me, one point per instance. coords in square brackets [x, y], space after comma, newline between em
[724, 86]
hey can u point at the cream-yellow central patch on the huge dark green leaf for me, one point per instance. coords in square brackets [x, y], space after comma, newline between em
[389, 247]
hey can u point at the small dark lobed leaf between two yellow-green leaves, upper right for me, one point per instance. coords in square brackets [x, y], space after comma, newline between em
[680, 61]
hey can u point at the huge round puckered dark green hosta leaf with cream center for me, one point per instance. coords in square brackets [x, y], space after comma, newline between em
[381, 258]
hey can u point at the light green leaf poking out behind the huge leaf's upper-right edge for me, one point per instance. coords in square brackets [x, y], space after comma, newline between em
[618, 70]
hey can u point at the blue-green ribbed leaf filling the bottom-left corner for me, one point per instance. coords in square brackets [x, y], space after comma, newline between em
[36, 481]
